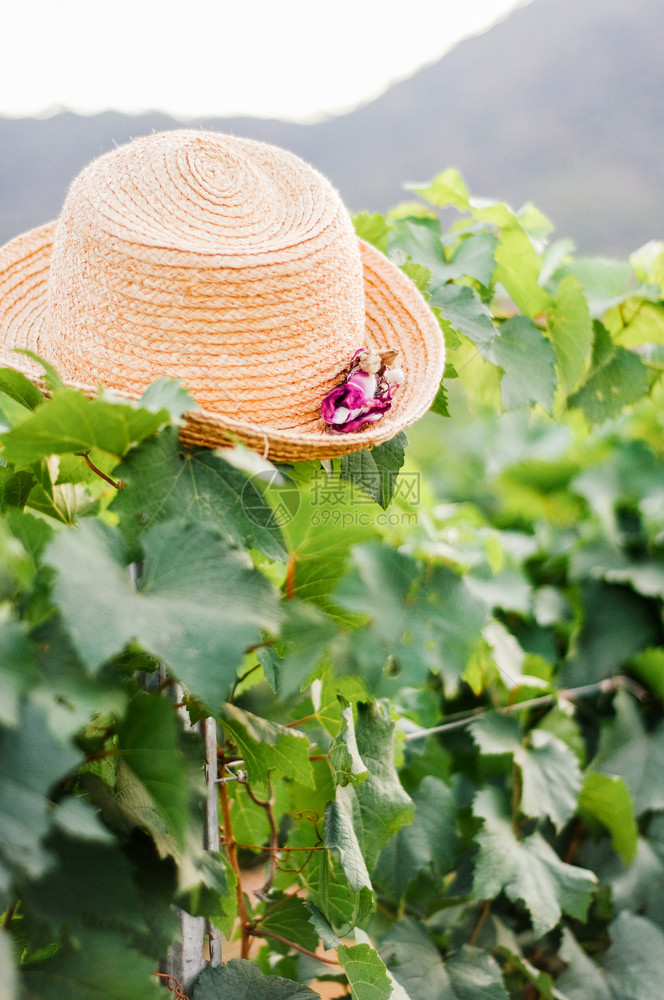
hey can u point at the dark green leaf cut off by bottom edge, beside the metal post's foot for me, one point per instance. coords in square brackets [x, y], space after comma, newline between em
[240, 979]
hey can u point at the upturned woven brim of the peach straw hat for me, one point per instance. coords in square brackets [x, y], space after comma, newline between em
[397, 318]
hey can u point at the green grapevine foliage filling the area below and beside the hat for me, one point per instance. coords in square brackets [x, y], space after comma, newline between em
[437, 670]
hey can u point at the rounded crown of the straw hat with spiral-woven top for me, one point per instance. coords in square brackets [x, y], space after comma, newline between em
[225, 262]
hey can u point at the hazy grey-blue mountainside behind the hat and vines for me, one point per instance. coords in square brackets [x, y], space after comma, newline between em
[560, 104]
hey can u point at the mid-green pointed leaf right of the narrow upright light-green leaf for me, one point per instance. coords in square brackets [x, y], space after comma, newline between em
[617, 378]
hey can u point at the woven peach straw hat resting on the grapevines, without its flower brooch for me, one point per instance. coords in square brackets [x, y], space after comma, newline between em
[227, 263]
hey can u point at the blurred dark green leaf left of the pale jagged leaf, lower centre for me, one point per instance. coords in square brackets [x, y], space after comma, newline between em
[429, 845]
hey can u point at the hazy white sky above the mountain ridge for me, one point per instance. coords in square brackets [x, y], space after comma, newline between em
[277, 58]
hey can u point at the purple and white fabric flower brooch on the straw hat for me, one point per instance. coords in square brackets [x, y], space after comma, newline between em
[366, 393]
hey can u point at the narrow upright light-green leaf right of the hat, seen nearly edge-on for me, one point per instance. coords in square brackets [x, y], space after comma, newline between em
[571, 333]
